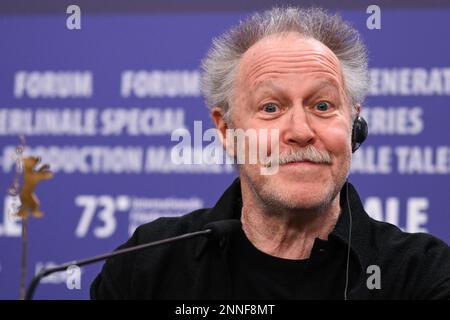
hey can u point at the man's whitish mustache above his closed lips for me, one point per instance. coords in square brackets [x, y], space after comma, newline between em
[308, 153]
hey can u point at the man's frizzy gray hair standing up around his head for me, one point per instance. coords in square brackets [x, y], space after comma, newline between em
[220, 64]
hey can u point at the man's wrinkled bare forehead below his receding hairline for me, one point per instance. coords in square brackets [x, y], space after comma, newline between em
[288, 53]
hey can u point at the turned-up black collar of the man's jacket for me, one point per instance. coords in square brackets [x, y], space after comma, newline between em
[229, 206]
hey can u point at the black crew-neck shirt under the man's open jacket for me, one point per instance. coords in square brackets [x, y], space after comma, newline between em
[257, 275]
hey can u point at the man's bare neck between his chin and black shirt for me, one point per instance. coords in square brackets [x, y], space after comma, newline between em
[289, 234]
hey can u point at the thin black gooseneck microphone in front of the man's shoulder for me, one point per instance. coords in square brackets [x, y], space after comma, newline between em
[214, 230]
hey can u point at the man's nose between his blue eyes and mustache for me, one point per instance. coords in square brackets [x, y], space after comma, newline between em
[297, 127]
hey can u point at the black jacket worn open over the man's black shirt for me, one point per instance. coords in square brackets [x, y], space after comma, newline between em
[412, 266]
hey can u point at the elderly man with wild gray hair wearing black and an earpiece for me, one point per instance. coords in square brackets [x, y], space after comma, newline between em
[305, 234]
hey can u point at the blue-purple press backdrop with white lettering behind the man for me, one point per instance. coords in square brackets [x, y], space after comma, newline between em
[99, 105]
